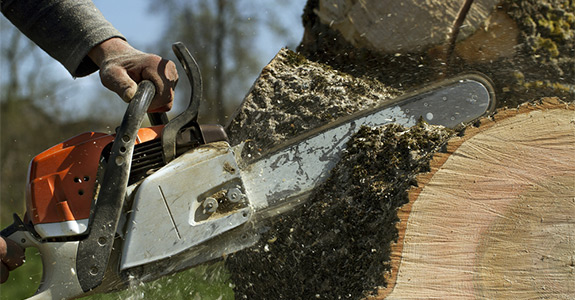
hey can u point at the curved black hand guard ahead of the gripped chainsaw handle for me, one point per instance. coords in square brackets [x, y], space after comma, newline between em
[189, 117]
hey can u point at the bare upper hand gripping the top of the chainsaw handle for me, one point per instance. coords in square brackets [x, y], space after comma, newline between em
[122, 67]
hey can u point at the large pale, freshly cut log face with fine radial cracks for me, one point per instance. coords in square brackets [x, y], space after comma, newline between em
[495, 218]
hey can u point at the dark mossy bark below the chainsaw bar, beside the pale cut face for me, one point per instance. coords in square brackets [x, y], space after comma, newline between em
[337, 246]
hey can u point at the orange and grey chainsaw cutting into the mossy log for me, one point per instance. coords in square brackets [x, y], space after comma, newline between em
[106, 209]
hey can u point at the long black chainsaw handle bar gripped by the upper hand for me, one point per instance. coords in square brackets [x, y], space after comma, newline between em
[94, 251]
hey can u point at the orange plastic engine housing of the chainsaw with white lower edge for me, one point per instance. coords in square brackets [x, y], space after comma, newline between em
[62, 181]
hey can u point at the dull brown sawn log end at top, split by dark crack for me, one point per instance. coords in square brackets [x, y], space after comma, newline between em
[401, 26]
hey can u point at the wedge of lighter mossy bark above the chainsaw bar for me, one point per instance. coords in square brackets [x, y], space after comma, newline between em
[293, 95]
